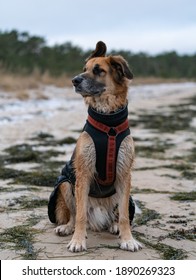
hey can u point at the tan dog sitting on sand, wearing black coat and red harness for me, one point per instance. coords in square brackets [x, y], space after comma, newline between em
[94, 187]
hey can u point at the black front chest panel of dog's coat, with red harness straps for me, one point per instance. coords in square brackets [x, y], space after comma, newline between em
[107, 133]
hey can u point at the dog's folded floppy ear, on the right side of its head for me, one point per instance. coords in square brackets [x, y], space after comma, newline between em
[121, 68]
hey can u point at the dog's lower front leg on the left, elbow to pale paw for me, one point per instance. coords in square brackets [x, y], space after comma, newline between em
[78, 242]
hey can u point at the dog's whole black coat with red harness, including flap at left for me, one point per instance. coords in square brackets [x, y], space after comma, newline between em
[107, 132]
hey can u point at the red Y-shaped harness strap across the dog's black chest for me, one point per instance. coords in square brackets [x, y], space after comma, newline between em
[111, 132]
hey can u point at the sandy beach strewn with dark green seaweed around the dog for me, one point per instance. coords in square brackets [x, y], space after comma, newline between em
[38, 126]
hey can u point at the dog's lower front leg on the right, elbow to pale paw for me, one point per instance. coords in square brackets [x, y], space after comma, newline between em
[127, 240]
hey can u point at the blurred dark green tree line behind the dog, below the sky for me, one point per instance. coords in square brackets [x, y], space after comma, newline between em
[23, 53]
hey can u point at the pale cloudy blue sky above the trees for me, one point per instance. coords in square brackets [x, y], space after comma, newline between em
[150, 26]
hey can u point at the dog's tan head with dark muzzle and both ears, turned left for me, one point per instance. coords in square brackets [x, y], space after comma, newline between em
[102, 74]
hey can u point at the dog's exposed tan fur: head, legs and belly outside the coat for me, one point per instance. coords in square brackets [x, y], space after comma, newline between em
[104, 86]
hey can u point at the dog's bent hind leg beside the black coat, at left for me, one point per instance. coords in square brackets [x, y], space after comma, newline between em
[65, 210]
